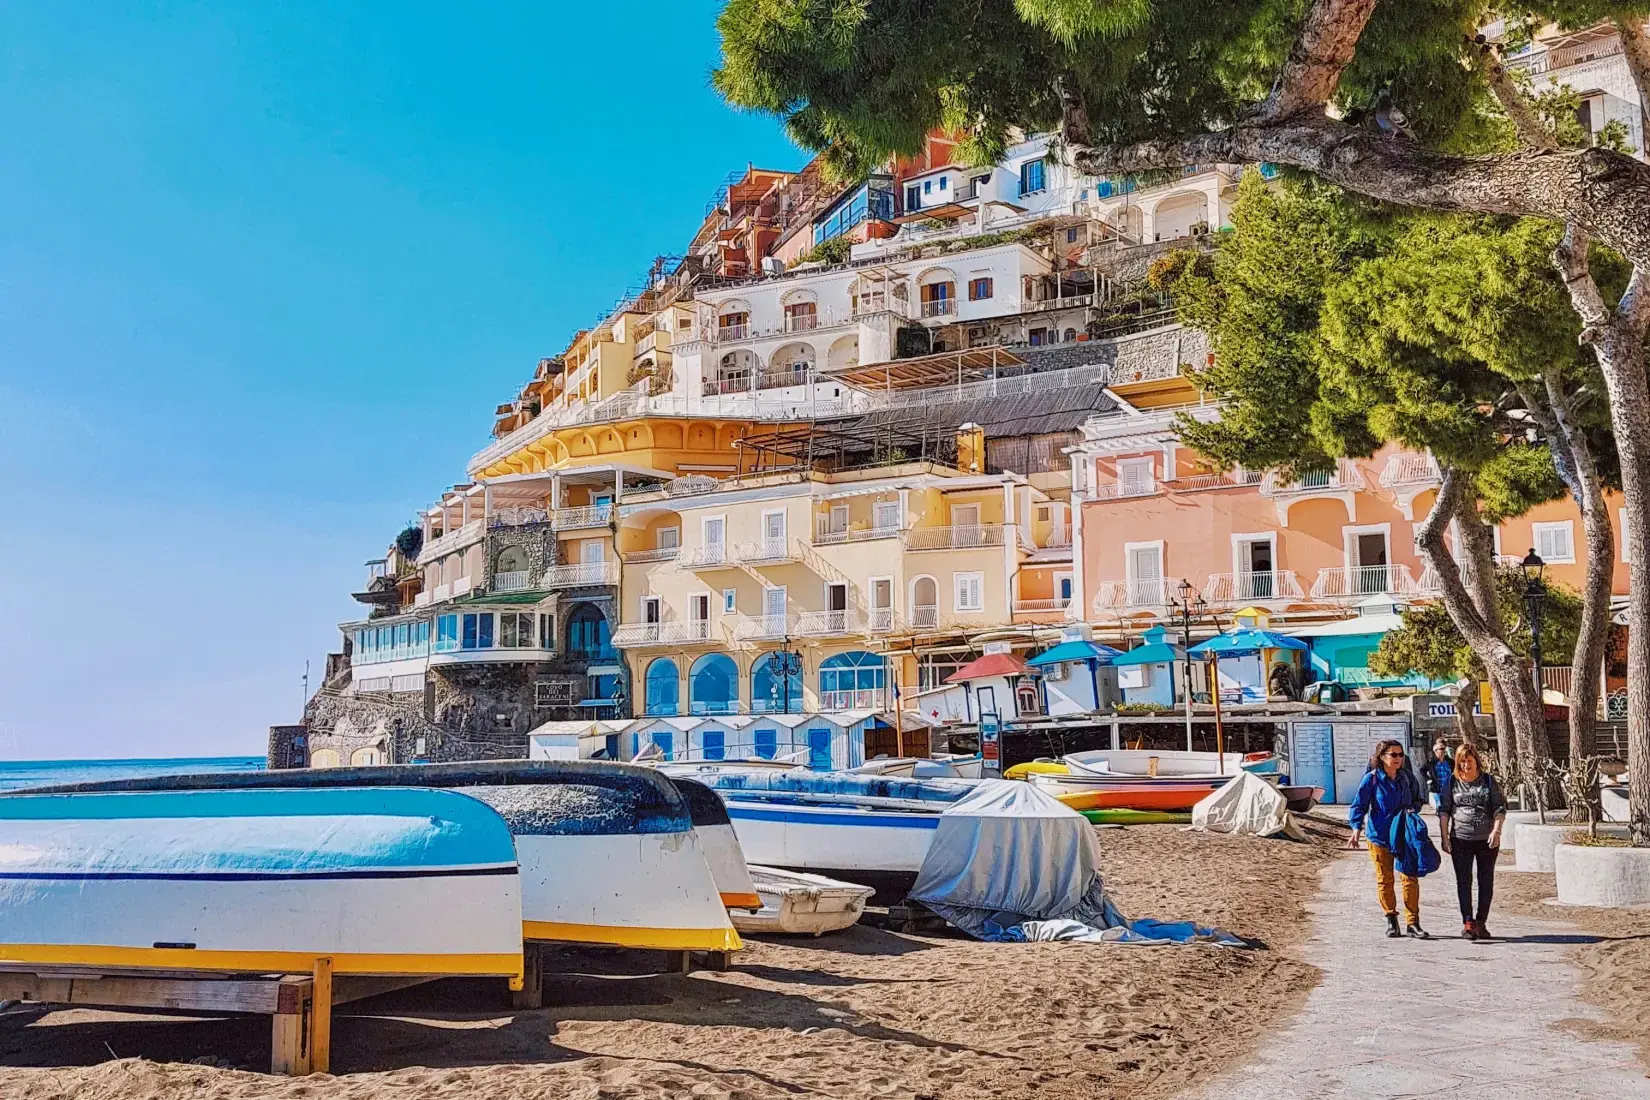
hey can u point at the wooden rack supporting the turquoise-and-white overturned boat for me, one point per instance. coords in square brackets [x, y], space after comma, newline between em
[299, 1005]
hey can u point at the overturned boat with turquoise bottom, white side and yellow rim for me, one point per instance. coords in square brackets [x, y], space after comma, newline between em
[260, 881]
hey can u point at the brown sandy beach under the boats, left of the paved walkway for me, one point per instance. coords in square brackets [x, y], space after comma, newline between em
[867, 1013]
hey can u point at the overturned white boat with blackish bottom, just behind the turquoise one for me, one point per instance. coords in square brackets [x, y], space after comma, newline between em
[608, 852]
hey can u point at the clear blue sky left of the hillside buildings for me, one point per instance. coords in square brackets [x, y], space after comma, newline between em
[265, 273]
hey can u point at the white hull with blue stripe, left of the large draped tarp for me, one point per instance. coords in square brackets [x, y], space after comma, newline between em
[834, 839]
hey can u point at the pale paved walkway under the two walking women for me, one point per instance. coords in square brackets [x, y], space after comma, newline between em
[1441, 1020]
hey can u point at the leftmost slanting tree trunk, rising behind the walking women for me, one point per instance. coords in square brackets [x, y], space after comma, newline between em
[1504, 667]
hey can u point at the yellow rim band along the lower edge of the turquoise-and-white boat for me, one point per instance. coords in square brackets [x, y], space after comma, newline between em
[260, 962]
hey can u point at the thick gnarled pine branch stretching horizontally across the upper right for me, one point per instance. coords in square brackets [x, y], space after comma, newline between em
[1596, 189]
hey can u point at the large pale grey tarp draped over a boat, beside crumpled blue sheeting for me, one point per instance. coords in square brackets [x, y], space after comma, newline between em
[1007, 853]
